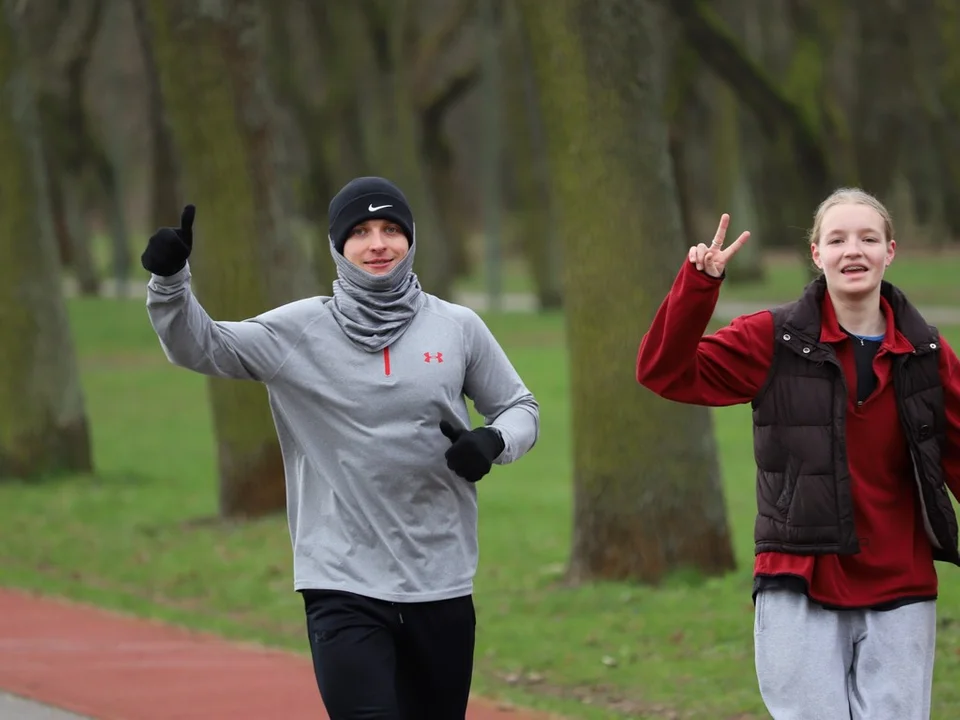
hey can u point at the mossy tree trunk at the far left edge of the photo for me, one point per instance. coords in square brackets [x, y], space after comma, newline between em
[43, 423]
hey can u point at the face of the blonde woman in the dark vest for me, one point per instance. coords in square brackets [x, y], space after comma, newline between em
[853, 250]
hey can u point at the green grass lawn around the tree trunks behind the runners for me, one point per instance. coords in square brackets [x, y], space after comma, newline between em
[138, 537]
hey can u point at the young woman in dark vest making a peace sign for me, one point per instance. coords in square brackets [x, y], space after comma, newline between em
[856, 430]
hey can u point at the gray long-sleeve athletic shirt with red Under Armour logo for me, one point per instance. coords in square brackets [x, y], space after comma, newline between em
[372, 507]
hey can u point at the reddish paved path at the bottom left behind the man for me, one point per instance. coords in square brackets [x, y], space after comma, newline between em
[106, 666]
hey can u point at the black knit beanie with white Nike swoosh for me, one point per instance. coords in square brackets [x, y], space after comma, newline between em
[367, 198]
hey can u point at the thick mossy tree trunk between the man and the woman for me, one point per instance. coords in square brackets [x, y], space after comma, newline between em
[648, 497]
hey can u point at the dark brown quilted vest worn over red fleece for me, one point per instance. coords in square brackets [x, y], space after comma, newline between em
[804, 503]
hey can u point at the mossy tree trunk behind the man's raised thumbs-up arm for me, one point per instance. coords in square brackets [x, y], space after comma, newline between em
[212, 79]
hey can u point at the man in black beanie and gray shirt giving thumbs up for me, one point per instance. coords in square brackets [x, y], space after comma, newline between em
[367, 390]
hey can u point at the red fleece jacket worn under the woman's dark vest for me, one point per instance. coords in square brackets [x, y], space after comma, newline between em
[678, 362]
